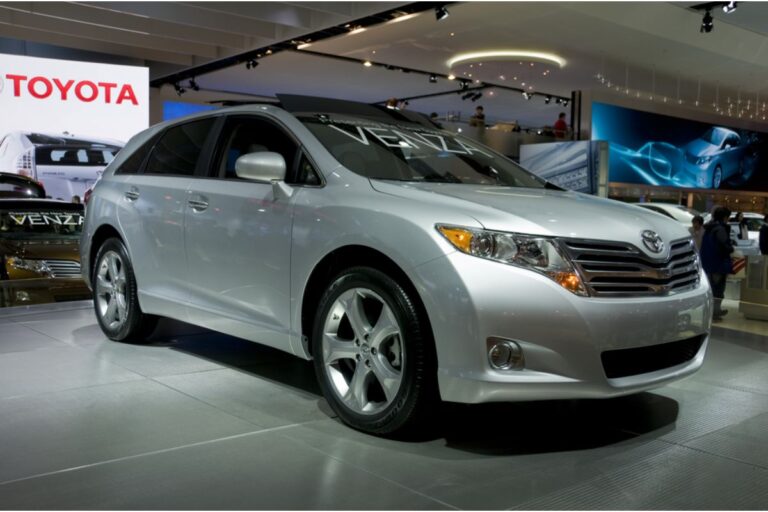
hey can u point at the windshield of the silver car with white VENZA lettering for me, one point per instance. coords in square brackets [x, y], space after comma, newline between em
[414, 153]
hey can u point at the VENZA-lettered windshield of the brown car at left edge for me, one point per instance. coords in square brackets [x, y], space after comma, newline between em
[22, 224]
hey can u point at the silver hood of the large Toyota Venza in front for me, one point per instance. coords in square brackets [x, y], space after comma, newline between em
[540, 211]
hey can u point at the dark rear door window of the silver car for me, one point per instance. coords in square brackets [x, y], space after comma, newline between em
[178, 150]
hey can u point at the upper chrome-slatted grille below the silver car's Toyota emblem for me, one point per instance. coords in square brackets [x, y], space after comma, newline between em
[611, 269]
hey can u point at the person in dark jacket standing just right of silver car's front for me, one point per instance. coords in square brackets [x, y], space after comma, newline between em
[716, 249]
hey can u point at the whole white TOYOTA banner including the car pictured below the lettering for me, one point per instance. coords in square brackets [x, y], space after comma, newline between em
[62, 122]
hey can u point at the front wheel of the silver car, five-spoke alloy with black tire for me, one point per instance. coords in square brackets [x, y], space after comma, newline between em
[374, 353]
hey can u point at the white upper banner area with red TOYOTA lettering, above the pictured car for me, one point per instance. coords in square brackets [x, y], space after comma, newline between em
[81, 98]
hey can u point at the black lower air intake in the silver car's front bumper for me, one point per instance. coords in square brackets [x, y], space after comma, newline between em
[635, 361]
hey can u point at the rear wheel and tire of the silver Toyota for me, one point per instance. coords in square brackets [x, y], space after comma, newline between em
[115, 297]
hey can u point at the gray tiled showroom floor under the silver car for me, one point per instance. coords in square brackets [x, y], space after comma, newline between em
[197, 420]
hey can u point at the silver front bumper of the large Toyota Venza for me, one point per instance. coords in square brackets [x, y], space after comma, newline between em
[562, 335]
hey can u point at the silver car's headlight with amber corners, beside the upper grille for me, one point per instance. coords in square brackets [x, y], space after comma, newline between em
[534, 253]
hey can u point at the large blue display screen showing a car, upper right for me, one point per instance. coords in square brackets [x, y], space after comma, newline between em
[653, 149]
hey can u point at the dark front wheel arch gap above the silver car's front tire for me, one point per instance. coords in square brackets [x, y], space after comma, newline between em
[343, 258]
